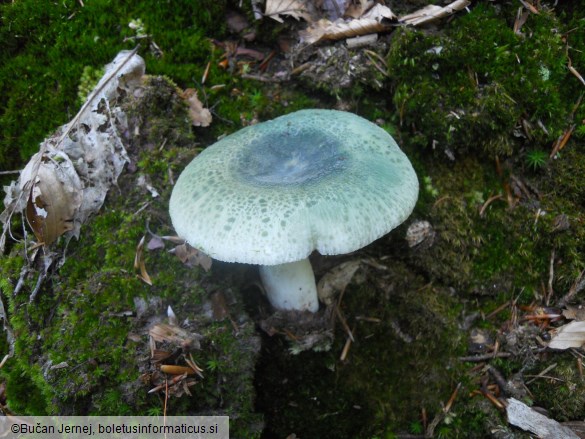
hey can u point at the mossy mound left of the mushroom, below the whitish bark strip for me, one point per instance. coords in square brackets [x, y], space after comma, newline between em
[72, 346]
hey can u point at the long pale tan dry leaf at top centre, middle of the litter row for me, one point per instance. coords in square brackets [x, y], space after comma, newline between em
[375, 20]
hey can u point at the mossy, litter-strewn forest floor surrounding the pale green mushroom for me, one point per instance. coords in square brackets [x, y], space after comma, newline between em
[474, 301]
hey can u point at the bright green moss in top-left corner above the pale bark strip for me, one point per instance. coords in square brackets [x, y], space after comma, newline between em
[47, 47]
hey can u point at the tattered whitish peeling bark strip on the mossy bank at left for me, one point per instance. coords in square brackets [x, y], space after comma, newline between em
[67, 180]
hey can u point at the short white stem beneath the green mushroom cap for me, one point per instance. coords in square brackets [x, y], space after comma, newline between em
[291, 286]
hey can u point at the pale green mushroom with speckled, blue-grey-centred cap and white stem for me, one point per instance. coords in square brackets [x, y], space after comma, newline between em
[272, 193]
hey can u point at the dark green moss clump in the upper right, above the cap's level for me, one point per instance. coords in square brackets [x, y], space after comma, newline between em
[479, 89]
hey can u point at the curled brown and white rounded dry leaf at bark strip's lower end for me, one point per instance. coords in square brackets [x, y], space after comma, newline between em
[55, 195]
